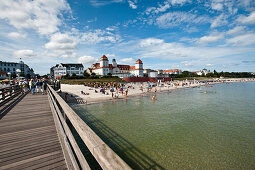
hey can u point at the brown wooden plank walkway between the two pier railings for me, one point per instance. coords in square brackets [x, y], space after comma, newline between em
[28, 136]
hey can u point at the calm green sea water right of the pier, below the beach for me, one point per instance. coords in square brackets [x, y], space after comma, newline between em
[193, 128]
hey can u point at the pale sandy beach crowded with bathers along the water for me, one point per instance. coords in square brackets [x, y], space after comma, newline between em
[89, 94]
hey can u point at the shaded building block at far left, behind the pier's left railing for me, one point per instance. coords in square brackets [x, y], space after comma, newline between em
[15, 68]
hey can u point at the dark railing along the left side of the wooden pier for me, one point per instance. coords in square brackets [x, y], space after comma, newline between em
[7, 93]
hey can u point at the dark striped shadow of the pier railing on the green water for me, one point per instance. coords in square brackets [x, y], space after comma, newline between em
[126, 150]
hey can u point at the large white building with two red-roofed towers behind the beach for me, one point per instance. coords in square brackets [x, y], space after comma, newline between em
[104, 68]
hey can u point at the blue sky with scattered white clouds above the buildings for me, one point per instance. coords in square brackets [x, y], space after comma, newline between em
[167, 34]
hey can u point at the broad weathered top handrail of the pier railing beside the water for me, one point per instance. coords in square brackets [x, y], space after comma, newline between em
[104, 155]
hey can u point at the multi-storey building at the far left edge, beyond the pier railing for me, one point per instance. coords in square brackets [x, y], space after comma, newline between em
[12, 67]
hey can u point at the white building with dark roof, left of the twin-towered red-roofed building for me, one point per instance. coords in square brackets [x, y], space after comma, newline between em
[63, 69]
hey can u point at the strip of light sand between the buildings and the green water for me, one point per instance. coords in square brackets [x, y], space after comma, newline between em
[74, 91]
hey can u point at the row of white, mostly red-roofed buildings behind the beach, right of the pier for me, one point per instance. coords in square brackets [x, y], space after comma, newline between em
[104, 68]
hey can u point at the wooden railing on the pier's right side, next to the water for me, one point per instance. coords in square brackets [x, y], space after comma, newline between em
[103, 154]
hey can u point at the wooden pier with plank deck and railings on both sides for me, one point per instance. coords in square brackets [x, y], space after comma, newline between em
[35, 134]
